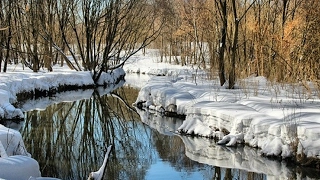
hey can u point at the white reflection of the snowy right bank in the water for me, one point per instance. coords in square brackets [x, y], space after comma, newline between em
[206, 151]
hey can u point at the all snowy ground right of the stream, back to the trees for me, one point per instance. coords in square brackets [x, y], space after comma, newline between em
[282, 120]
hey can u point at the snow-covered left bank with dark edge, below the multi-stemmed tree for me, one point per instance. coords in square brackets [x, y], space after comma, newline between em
[14, 83]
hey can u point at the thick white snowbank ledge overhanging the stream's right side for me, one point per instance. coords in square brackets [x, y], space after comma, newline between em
[274, 126]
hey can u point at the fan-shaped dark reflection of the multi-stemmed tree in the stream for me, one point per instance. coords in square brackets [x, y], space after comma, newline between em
[69, 139]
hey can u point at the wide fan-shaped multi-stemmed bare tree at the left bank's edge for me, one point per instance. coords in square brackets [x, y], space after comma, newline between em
[106, 33]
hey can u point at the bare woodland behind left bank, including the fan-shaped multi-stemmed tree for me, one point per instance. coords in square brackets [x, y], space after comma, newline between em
[94, 35]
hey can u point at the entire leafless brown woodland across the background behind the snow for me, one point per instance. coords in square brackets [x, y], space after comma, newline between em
[278, 39]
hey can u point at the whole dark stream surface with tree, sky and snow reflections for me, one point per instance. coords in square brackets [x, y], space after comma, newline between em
[69, 140]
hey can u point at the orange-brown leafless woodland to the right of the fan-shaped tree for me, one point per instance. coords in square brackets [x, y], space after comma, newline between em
[276, 39]
